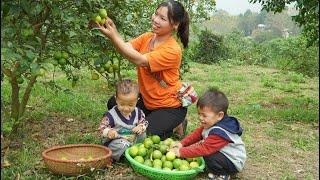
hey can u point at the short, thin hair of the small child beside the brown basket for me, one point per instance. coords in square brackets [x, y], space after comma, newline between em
[127, 86]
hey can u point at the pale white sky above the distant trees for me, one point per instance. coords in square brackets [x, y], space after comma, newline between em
[236, 7]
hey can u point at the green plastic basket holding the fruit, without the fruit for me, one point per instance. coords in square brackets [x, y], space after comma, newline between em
[154, 173]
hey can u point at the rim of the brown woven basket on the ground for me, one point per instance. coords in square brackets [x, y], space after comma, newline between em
[45, 156]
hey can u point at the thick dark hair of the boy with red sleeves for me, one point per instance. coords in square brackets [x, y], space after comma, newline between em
[215, 100]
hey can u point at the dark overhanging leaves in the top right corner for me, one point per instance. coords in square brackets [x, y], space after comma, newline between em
[307, 18]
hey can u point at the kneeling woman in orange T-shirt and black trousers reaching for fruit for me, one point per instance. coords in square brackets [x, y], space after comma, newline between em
[157, 55]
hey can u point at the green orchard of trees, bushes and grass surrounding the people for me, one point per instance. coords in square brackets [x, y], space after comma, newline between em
[56, 76]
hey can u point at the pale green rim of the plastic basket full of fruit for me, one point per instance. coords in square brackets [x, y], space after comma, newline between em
[187, 172]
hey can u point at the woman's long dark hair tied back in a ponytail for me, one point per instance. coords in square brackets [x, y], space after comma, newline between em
[178, 14]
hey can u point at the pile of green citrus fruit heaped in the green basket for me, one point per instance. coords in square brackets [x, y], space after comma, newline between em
[154, 153]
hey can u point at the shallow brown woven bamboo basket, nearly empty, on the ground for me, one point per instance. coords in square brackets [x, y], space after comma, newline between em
[77, 159]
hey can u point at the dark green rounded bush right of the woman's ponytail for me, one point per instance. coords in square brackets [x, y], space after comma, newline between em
[209, 48]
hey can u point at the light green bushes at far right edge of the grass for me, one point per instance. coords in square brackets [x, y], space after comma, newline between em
[290, 54]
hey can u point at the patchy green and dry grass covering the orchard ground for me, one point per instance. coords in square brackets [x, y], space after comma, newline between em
[277, 110]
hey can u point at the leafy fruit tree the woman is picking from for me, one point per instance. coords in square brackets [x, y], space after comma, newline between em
[41, 37]
